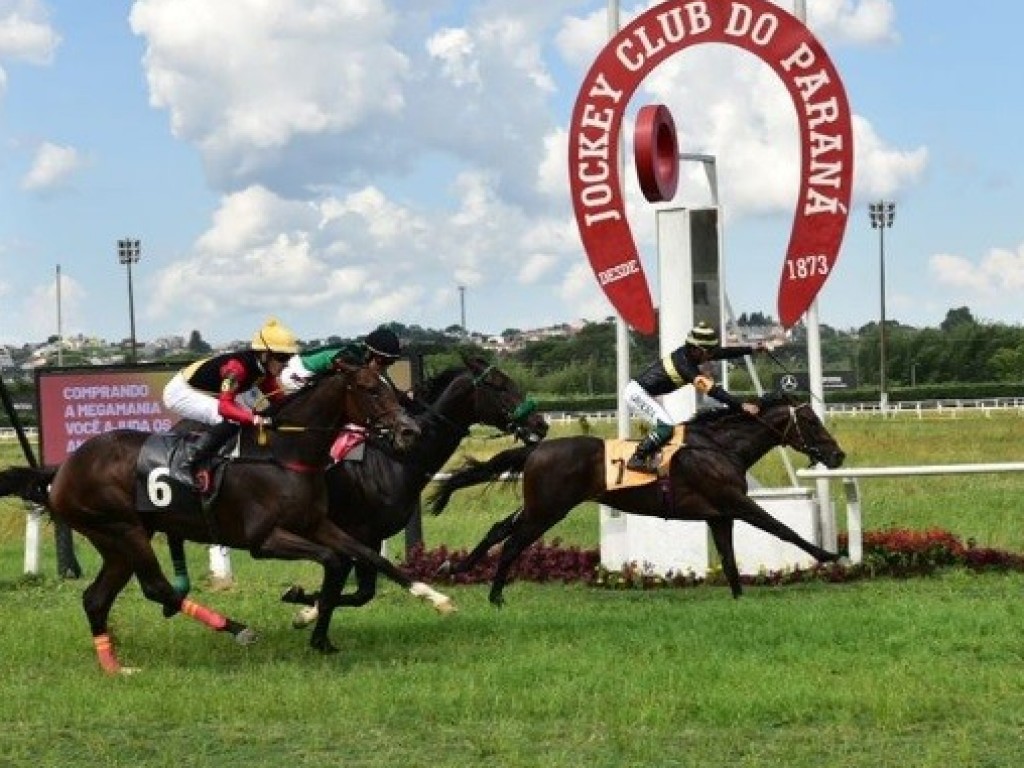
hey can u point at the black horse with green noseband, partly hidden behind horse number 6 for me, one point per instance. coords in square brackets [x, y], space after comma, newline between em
[375, 498]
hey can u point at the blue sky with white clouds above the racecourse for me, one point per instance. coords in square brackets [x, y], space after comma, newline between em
[339, 164]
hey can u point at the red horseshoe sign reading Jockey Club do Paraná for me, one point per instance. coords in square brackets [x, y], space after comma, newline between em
[788, 47]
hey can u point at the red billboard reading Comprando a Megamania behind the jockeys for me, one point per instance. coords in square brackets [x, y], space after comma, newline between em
[75, 405]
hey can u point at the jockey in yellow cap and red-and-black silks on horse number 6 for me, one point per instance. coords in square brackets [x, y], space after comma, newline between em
[208, 392]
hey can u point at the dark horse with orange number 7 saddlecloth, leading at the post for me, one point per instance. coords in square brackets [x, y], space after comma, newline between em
[707, 482]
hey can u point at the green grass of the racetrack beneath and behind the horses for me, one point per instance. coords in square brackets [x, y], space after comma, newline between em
[923, 673]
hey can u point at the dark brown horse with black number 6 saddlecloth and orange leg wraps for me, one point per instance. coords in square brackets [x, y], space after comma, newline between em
[275, 506]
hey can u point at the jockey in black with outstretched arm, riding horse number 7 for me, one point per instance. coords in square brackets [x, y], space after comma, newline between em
[676, 370]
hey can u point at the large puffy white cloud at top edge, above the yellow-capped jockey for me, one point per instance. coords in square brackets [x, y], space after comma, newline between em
[262, 84]
